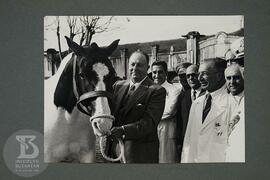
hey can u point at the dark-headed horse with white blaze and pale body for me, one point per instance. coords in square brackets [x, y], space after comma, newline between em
[80, 89]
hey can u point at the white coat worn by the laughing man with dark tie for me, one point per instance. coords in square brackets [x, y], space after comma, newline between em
[207, 142]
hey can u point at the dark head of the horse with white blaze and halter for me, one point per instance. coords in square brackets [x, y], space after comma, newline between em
[86, 81]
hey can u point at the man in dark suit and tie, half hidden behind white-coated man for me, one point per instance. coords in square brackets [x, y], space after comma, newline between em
[189, 93]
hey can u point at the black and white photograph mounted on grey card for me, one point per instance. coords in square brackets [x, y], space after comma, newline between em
[144, 89]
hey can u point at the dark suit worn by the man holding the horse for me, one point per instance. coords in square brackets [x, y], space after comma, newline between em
[142, 113]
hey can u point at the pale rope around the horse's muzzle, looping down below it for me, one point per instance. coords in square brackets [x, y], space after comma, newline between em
[103, 137]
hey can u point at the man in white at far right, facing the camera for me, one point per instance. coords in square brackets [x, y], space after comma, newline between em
[236, 126]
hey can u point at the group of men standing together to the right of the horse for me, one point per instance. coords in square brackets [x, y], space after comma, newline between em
[161, 123]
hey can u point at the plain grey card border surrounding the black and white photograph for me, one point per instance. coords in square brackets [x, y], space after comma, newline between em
[22, 79]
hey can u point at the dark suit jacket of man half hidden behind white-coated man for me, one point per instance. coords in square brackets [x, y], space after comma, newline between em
[184, 105]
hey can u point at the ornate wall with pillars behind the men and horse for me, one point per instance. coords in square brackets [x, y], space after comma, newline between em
[193, 48]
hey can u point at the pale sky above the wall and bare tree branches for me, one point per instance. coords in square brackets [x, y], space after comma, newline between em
[133, 29]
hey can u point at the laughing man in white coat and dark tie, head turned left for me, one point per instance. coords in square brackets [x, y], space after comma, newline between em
[206, 134]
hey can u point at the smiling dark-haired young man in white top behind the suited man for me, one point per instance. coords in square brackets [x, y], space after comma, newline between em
[168, 152]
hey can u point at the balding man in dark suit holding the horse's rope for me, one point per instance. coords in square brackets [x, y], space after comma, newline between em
[138, 108]
